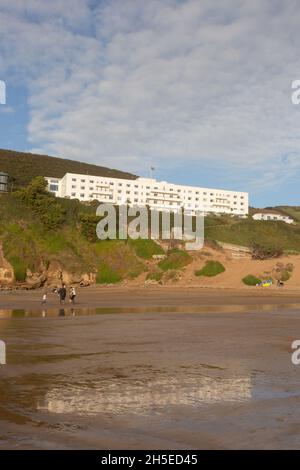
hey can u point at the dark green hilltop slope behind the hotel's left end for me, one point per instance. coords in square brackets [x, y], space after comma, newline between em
[25, 166]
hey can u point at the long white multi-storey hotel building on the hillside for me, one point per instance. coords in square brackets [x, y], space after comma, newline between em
[158, 195]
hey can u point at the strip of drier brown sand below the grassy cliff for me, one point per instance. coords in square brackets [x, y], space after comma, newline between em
[158, 296]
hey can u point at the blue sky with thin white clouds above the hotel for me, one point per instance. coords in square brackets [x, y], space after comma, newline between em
[199, 90]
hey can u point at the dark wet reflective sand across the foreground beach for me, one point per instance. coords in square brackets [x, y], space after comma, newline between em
[152, 380]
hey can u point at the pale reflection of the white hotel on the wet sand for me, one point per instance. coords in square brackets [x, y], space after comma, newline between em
[120, 396]
